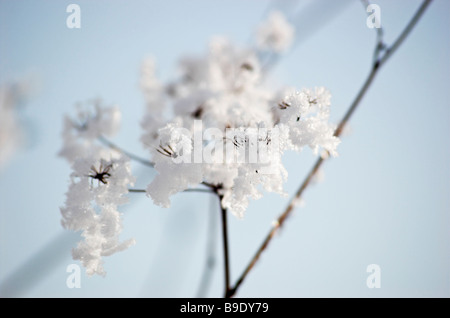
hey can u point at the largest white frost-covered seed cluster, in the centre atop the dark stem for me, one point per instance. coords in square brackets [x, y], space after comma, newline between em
[229, 129]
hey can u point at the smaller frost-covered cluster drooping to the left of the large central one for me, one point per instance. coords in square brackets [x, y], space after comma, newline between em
[99, 183]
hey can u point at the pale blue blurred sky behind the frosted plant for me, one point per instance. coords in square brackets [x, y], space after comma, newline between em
[384, 200]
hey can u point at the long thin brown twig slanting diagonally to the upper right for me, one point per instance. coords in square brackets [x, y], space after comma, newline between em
[375, 68]
